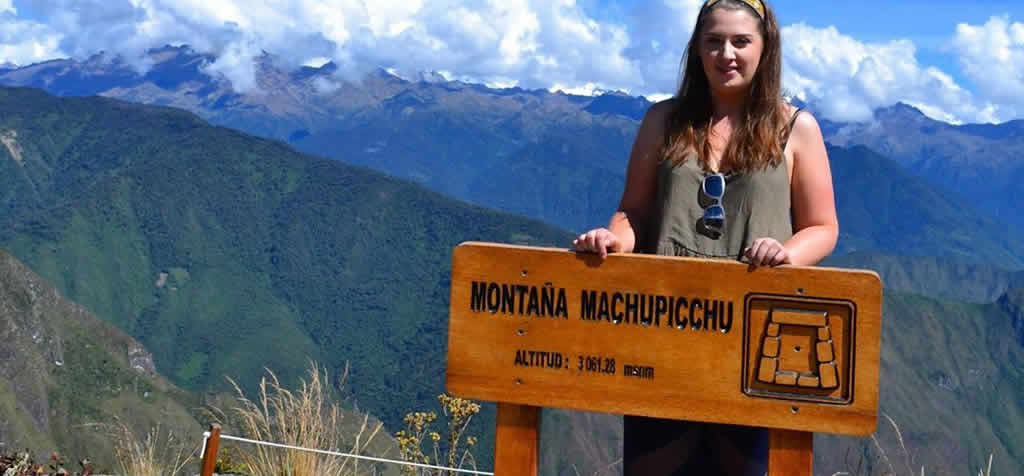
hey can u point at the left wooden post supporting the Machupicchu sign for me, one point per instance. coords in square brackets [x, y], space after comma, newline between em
[517, 441]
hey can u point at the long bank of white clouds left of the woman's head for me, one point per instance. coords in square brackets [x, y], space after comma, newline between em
[536, 42]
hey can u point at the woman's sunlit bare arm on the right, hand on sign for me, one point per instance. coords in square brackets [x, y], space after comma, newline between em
[815, 223]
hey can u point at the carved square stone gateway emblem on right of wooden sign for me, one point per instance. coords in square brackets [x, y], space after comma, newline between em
[799, 349]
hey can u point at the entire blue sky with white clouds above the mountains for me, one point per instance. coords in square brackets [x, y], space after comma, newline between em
[957, 61]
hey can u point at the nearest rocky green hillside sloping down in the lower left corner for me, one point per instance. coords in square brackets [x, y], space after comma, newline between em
[67, 378]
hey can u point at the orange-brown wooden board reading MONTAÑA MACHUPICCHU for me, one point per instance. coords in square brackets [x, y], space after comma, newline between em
[794, 349]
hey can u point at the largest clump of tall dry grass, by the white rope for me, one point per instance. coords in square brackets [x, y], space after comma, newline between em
[309, 418]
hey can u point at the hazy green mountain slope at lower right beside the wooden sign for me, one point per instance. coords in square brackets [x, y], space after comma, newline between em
[953, 380]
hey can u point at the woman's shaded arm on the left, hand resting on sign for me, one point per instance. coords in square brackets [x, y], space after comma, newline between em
[638, 196]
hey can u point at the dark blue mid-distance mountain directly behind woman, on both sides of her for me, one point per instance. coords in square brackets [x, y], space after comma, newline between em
[568, 168]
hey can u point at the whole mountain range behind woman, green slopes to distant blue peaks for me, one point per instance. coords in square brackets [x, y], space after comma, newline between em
[268, 256]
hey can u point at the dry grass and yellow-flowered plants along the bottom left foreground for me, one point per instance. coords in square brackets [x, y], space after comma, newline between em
[309, 417]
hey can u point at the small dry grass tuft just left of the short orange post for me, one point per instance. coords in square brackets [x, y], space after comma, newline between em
[160, 454]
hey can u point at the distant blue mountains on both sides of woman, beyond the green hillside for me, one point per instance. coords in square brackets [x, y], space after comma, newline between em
[561, 158]
